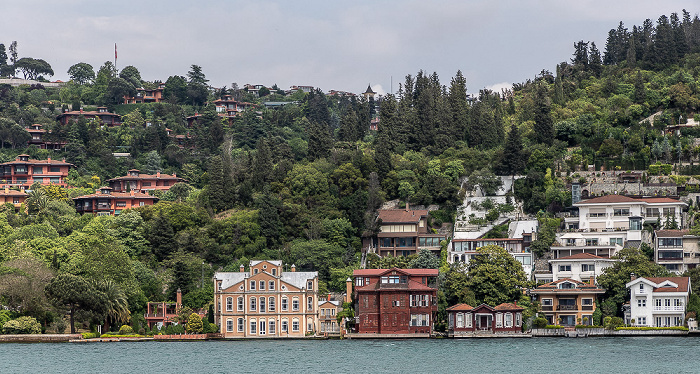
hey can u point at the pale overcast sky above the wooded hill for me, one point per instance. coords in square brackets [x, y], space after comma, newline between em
[340, 45]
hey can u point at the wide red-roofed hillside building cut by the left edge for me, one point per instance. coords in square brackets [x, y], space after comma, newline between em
[23, 172]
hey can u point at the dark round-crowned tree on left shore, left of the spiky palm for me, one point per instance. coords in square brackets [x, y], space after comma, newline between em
[72, 291]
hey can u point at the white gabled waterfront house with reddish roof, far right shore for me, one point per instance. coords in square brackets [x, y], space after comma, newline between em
[658, 302]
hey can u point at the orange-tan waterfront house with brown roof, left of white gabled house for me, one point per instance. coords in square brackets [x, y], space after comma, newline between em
[567, 302]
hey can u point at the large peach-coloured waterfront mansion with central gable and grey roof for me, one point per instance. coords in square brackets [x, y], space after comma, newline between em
[266, 302]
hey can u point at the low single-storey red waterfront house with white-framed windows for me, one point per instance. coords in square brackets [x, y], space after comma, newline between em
[465, 320]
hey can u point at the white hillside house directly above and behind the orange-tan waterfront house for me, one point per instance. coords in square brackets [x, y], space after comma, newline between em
[581, 267]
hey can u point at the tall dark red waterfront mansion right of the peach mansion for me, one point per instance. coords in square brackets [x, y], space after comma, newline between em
[395, 301]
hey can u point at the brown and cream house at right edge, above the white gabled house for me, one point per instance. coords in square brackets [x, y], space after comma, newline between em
[676, 250]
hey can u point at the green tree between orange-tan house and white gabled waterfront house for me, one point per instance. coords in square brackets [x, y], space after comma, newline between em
[631, 261]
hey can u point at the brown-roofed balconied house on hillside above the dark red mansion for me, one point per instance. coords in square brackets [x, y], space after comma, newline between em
[402, 232]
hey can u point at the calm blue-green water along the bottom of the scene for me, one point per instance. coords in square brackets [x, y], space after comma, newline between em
[540, 355]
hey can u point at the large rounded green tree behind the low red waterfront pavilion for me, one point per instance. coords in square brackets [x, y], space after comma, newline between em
[495, 276]
